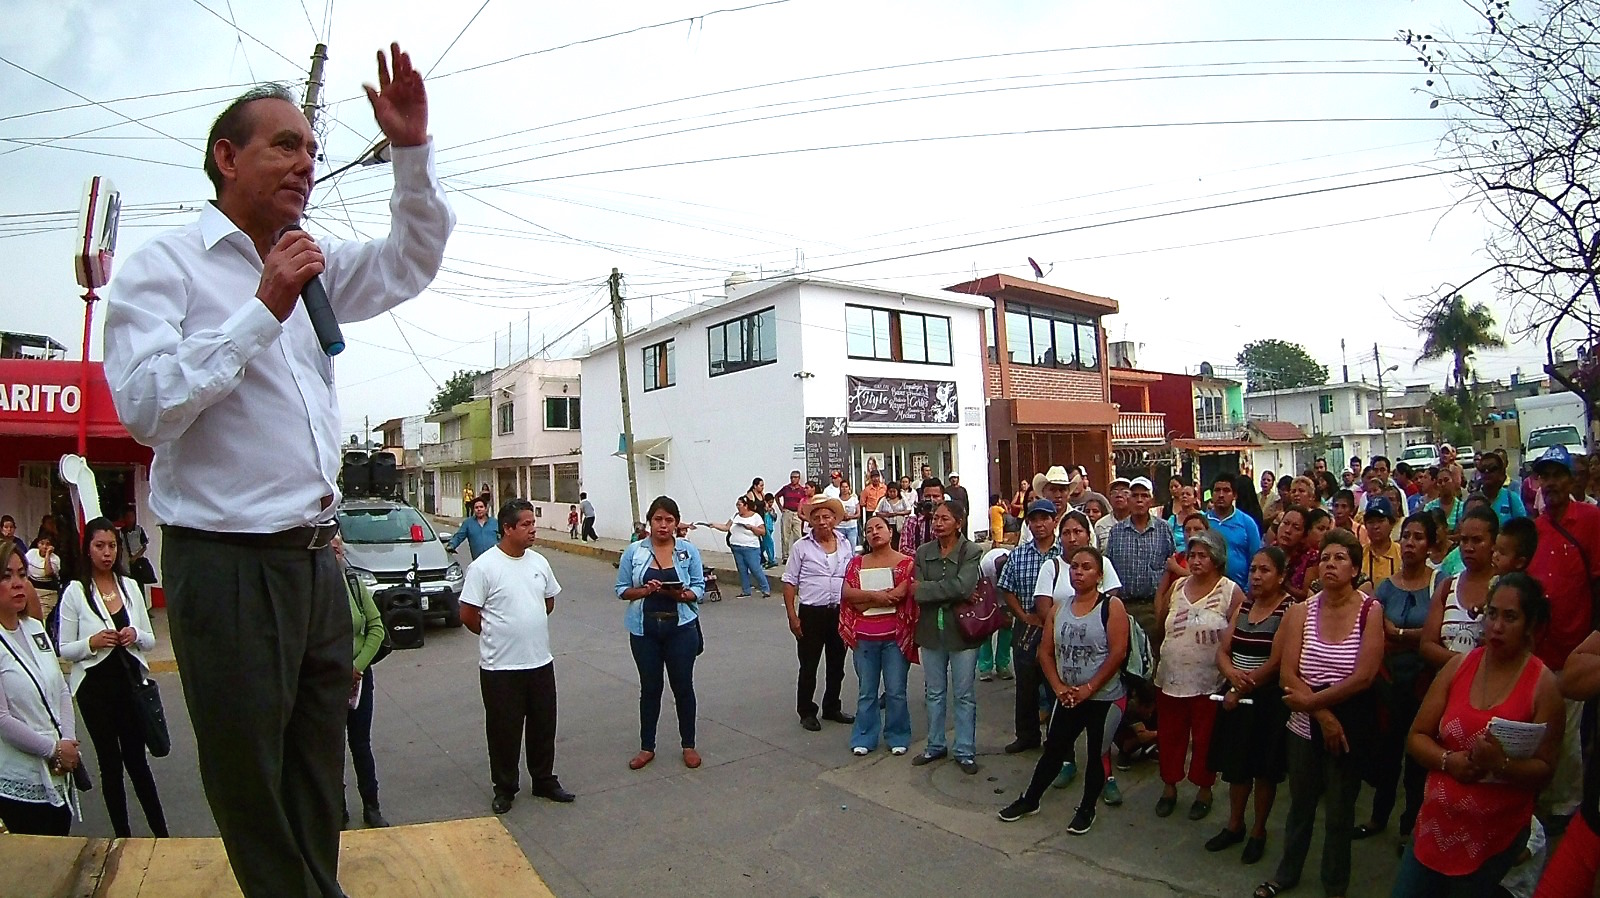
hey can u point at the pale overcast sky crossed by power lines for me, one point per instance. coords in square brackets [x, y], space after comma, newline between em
[1209, 166]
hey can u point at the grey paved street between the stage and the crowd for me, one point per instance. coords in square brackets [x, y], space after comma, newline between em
[775, 811]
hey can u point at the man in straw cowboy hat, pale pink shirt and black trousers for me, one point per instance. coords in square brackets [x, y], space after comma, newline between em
[814, 587]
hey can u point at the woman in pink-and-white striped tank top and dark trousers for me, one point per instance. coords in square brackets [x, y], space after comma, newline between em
[1334, 647]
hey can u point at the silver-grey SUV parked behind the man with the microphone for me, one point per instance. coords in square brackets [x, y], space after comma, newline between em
[385, 540]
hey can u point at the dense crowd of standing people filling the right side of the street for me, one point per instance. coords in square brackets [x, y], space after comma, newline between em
[1410, 631]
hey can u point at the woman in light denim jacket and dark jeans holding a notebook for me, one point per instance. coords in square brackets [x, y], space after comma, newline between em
[663, 582]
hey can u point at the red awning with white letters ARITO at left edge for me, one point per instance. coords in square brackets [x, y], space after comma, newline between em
[44, 399]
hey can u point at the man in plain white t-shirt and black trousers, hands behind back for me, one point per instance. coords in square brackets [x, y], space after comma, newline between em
[508, 601]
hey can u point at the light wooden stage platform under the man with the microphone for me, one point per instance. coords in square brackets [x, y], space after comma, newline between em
[460, 857]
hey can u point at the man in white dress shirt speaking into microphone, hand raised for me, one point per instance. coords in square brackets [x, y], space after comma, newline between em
[214, 363]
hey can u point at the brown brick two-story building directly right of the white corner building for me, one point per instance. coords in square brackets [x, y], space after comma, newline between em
[1046, 380]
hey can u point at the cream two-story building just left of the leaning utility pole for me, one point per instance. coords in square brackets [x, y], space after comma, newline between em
[537, 423]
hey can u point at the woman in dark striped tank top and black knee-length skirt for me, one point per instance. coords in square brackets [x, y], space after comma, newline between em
[1249, 742]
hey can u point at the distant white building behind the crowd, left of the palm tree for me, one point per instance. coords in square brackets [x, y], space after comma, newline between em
[1340, 415]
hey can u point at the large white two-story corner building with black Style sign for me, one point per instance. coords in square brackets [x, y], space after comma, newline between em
[722, 393]
